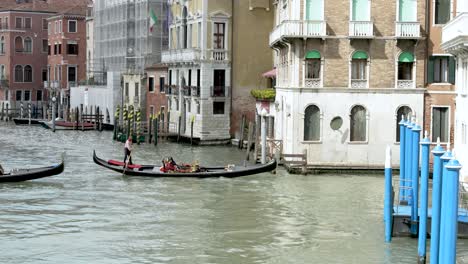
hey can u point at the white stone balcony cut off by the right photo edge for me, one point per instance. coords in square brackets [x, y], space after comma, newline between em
[455, 34]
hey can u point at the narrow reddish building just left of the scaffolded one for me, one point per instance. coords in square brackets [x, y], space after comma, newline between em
[66, 53]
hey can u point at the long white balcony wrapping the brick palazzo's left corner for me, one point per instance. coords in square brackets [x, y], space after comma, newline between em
[298, 29]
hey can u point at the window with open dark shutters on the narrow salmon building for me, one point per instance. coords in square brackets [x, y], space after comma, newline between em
[441, 69]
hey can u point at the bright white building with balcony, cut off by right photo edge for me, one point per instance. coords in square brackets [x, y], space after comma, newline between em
[455, 41]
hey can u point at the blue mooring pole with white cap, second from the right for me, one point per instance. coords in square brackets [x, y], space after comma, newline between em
[438, 151]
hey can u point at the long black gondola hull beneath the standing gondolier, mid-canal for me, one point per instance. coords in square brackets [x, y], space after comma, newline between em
[203, 172]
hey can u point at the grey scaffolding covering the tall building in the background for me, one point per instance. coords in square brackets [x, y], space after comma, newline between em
[122, 38]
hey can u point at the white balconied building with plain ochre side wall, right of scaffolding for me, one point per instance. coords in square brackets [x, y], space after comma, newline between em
[211, 68]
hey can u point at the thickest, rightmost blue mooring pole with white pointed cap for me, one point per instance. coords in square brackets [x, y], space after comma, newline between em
[449, 212]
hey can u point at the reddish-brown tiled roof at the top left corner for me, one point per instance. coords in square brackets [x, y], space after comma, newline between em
[77, 7]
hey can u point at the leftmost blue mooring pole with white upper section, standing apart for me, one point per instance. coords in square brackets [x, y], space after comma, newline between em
[388, 199]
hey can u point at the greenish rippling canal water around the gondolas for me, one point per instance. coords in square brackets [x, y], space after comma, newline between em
[91, 215]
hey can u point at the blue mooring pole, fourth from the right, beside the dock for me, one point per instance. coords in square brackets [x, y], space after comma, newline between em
[415, 134]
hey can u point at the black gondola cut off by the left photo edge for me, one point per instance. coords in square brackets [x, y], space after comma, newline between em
[31, 174]
